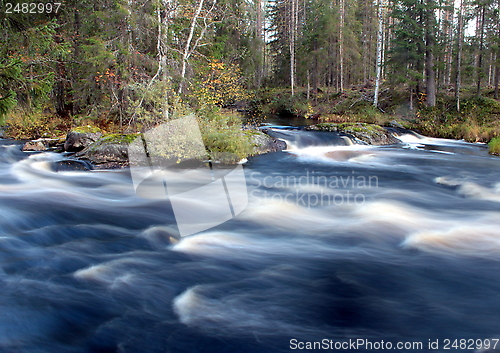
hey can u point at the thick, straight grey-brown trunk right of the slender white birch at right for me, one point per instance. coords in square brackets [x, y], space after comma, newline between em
[430, 74]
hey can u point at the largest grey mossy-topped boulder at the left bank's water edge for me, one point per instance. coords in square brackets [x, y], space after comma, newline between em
[109, 151]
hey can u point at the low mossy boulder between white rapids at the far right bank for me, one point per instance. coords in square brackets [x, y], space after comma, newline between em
[362, 133]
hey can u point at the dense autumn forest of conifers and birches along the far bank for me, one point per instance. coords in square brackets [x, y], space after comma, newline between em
[128, 65]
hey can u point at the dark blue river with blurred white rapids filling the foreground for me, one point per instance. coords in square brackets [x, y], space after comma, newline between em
[339, 242]
